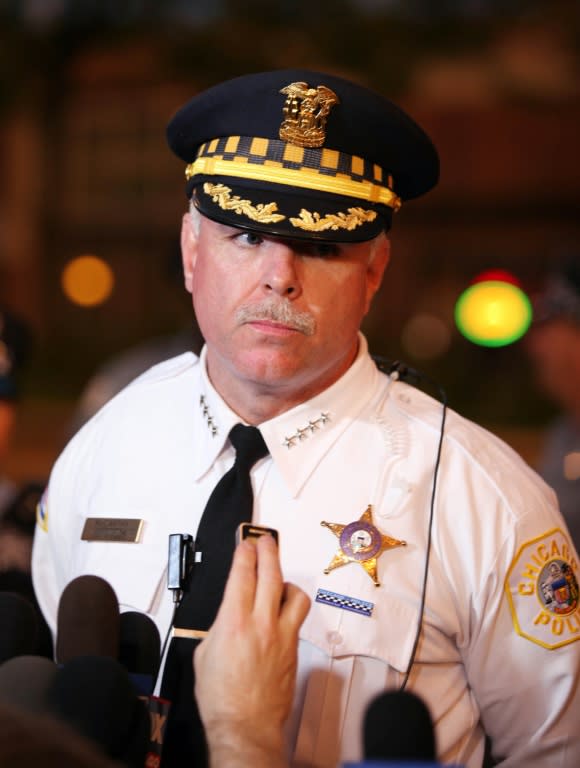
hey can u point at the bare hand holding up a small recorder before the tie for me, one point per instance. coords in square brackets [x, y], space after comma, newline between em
[245, 669]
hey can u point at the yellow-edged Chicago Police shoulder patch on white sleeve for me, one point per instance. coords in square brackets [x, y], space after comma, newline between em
[542, 590]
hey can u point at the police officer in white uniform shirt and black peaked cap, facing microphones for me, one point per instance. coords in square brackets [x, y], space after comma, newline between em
[426, 546]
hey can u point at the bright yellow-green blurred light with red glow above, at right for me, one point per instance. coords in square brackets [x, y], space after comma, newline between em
[493, 313]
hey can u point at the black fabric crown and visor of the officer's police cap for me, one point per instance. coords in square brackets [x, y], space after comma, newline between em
[362, 124]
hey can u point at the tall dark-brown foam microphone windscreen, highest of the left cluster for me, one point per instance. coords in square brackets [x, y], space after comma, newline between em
[87, 620]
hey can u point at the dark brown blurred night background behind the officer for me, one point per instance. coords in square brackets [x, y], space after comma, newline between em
[87, 87]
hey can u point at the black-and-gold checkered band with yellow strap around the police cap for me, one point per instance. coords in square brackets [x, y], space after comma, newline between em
[278, 162]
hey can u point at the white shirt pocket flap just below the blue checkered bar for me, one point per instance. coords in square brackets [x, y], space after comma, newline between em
[388, 633]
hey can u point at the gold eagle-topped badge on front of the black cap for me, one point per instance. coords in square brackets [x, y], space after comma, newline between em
[305, 112]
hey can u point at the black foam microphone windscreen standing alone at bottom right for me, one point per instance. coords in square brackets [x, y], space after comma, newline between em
[398, 726]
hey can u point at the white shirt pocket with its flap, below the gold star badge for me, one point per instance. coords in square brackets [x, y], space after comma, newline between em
[345, 660]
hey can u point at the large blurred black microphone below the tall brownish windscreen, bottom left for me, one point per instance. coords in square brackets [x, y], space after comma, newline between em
[95, 696]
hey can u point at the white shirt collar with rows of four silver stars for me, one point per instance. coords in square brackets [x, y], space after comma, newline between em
[297, 439]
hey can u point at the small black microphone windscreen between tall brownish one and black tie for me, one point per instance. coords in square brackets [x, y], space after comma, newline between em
[139, 644]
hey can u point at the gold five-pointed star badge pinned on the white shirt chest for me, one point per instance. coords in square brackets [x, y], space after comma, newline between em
[361, 542]
